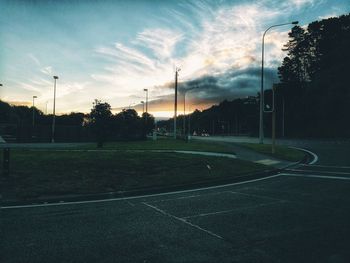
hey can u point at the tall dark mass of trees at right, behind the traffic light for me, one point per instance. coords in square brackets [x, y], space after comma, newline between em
[314, 79]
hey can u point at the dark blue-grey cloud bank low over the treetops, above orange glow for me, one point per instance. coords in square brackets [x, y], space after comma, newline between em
[208, 90]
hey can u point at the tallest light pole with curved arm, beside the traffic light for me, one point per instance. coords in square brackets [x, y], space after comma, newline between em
[261, 122]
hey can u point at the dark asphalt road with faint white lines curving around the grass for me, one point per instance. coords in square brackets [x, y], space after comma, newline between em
[300, 215]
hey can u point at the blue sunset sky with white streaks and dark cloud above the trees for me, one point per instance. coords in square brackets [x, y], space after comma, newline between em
[113, 50]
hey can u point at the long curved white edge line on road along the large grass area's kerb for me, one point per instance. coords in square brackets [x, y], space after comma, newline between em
[140, 196]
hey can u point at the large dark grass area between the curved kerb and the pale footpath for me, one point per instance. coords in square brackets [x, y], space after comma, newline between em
[38, 173]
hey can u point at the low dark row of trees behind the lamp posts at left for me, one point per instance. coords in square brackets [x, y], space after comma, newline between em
[99, 125]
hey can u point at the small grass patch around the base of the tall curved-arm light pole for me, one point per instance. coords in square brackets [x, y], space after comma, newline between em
[282, 152]
